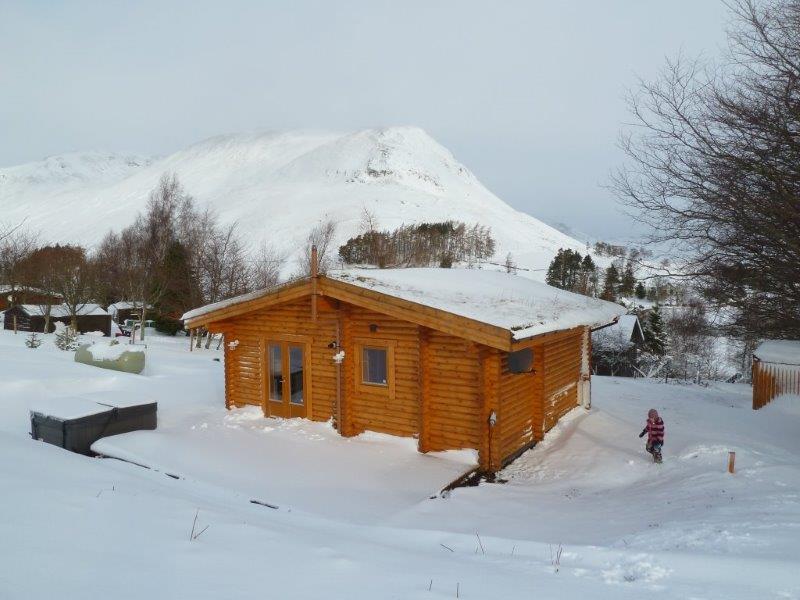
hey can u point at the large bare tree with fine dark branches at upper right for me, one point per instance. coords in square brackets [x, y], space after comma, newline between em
[714, 166]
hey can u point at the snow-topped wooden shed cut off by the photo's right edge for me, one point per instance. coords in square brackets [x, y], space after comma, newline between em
[776, 371]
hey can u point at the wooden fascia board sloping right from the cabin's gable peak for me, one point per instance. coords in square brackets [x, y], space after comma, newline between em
[413, 312]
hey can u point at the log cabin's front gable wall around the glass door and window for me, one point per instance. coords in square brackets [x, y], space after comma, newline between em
[452, 397]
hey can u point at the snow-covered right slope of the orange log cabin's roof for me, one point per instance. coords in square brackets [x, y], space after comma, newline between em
[513, 302]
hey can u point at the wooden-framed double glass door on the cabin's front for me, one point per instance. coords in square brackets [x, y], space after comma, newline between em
[286, 379]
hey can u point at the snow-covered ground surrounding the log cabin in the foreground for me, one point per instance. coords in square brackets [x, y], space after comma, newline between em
[584, 515]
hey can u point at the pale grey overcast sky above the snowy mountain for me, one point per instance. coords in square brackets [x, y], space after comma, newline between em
[529, 95]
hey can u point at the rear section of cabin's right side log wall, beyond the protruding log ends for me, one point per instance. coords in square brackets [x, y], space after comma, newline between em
[562, 373]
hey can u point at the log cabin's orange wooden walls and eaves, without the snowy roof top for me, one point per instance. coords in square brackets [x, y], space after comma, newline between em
[408, 372]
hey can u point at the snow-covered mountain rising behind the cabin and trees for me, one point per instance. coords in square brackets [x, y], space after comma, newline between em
[277, 186]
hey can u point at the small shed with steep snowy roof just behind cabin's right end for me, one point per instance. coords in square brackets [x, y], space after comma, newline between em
[615, 349]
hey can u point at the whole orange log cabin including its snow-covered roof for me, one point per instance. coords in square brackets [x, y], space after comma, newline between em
[457, 358]
